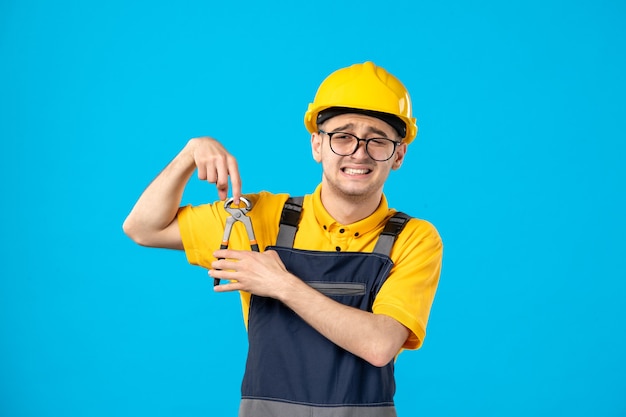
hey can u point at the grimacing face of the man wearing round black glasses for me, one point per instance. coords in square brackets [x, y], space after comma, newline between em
[356, 177]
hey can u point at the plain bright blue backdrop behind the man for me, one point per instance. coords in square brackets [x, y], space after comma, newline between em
[519, 163]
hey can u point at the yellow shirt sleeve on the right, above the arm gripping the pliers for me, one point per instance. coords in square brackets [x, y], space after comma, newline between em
[408, 293]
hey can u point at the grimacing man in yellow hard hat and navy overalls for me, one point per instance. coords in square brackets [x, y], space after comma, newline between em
[329, 309]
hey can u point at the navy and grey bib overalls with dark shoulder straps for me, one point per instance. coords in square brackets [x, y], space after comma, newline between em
[294, 371]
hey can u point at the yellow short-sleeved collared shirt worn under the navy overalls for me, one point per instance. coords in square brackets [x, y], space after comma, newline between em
[406, 295]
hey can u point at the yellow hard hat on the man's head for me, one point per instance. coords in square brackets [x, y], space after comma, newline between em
[367, 89]
